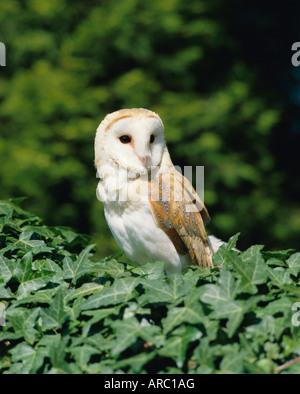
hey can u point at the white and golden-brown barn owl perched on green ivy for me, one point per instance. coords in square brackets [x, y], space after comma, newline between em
[152, 210]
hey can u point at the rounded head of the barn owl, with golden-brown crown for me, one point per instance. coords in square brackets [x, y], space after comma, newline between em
[131, 138]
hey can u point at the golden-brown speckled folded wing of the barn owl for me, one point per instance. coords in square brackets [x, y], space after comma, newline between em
[179, 211]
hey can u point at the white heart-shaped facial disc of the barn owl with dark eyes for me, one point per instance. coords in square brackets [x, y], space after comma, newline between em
[135, 143]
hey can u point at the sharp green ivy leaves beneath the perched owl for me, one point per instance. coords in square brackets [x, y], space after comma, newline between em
[67, 312]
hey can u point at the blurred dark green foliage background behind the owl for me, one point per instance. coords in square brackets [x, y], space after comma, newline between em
[218, 73]
